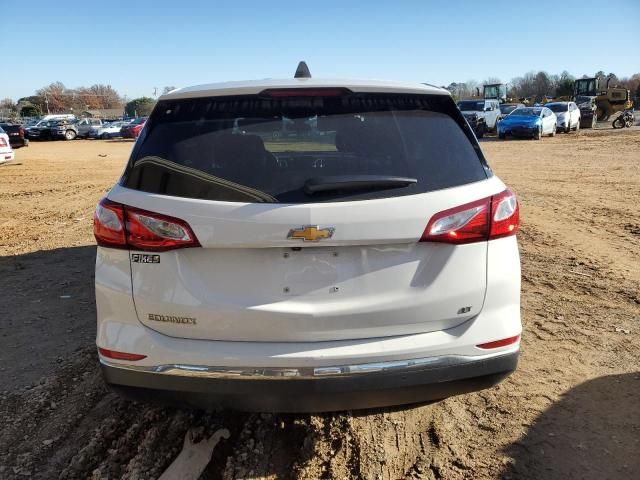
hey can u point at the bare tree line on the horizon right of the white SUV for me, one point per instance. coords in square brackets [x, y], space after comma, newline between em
[537, 85]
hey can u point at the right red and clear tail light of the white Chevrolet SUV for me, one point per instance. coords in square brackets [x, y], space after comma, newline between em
[492, 217]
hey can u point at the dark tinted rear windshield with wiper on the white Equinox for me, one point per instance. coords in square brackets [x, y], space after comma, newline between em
[304, 149]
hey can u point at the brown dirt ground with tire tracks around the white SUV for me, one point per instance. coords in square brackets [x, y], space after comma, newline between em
[571, 411]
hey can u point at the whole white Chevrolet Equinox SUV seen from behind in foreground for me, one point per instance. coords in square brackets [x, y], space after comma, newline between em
[307, 245]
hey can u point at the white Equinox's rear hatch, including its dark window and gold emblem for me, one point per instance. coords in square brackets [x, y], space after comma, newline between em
[304, 210]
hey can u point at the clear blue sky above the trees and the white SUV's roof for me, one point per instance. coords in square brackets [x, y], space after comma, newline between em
[137, 45]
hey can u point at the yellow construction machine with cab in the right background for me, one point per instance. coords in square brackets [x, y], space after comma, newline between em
[607, 100]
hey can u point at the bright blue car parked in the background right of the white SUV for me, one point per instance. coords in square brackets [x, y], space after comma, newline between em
[531, 122]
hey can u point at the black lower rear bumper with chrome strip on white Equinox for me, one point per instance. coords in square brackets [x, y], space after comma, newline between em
[311, 390]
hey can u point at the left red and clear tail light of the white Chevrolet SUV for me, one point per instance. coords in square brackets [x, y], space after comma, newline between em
[120, 226]
